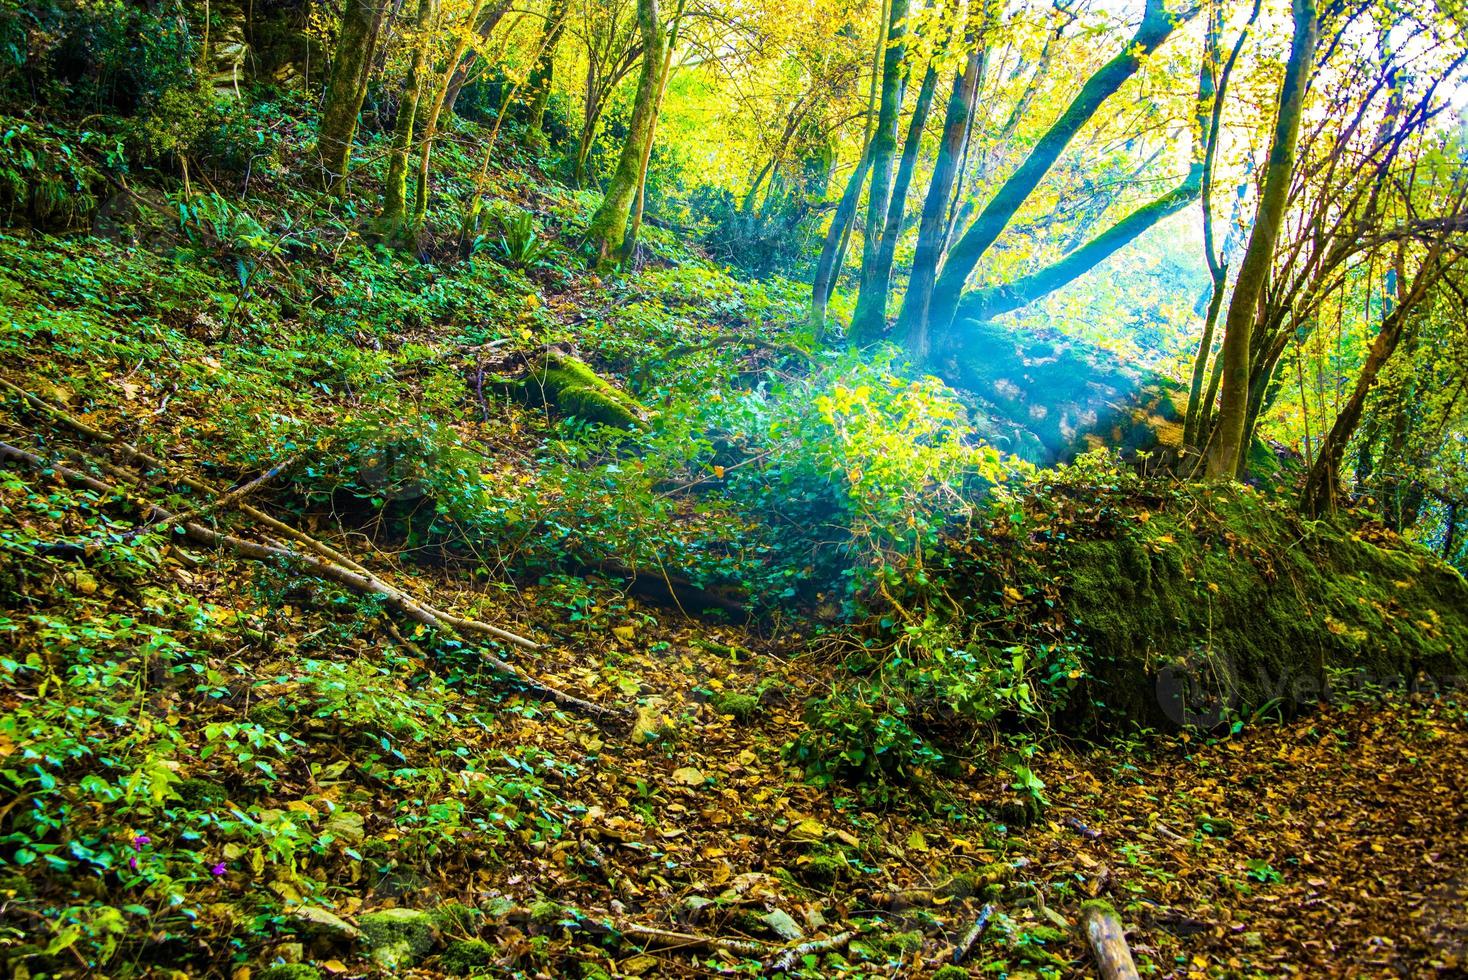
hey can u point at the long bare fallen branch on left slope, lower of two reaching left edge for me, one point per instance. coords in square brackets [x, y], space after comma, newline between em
[322, 568]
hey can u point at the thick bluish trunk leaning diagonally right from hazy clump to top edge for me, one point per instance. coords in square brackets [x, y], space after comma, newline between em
[964, 257]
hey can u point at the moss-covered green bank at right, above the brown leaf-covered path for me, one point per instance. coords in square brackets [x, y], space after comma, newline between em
[1222, 602]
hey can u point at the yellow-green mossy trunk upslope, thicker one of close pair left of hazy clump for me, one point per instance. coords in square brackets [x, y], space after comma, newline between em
[608, 230]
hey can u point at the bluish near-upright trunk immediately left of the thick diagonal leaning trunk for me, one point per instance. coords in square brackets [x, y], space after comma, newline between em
[912, 322]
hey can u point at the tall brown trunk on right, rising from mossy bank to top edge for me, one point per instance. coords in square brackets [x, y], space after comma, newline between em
[1227, 448]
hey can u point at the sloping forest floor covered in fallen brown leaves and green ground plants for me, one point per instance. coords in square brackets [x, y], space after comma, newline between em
[230, 768]
